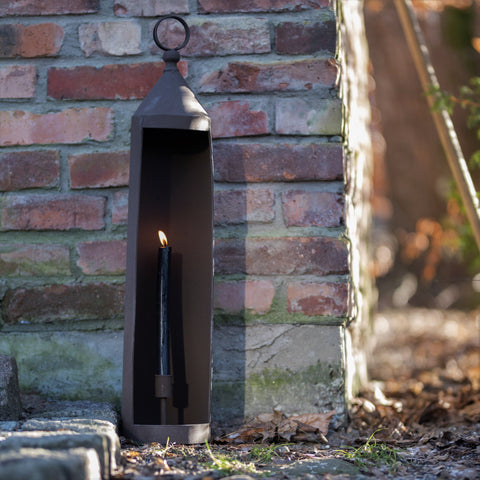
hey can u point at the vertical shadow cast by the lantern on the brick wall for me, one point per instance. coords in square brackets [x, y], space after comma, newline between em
[231, 302]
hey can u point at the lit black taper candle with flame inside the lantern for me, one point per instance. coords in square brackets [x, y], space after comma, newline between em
[164, 254]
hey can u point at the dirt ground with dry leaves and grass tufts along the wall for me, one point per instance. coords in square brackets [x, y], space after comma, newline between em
[419, 418]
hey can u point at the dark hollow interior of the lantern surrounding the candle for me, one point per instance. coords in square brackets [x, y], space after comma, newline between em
[175, 197]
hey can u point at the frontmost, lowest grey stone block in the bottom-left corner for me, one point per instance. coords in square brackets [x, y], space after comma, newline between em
[40, 464]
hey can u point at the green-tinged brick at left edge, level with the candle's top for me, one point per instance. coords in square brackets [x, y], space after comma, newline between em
[19, 260]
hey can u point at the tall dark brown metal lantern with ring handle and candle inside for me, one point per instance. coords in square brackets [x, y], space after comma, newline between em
[168, 304]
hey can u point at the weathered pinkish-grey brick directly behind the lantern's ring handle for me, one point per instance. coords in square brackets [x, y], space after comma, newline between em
[212, 37]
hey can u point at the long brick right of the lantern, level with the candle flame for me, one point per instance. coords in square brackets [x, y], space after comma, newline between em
[281, 256]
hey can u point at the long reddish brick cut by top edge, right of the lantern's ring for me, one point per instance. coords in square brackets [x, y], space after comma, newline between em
[232, 6]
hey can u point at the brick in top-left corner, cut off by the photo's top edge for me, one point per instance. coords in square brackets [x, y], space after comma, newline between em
[48, 7]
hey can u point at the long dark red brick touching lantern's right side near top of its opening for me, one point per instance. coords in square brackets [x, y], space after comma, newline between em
[253, 162]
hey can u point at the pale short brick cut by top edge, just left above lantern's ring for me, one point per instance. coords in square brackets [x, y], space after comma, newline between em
[149, 8]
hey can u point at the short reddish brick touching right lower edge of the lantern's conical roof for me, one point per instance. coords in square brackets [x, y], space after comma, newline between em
[235, 119]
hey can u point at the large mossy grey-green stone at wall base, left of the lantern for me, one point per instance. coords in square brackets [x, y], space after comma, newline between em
[61, 364]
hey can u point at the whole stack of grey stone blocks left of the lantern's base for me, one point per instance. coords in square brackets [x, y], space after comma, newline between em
[65, 447]
